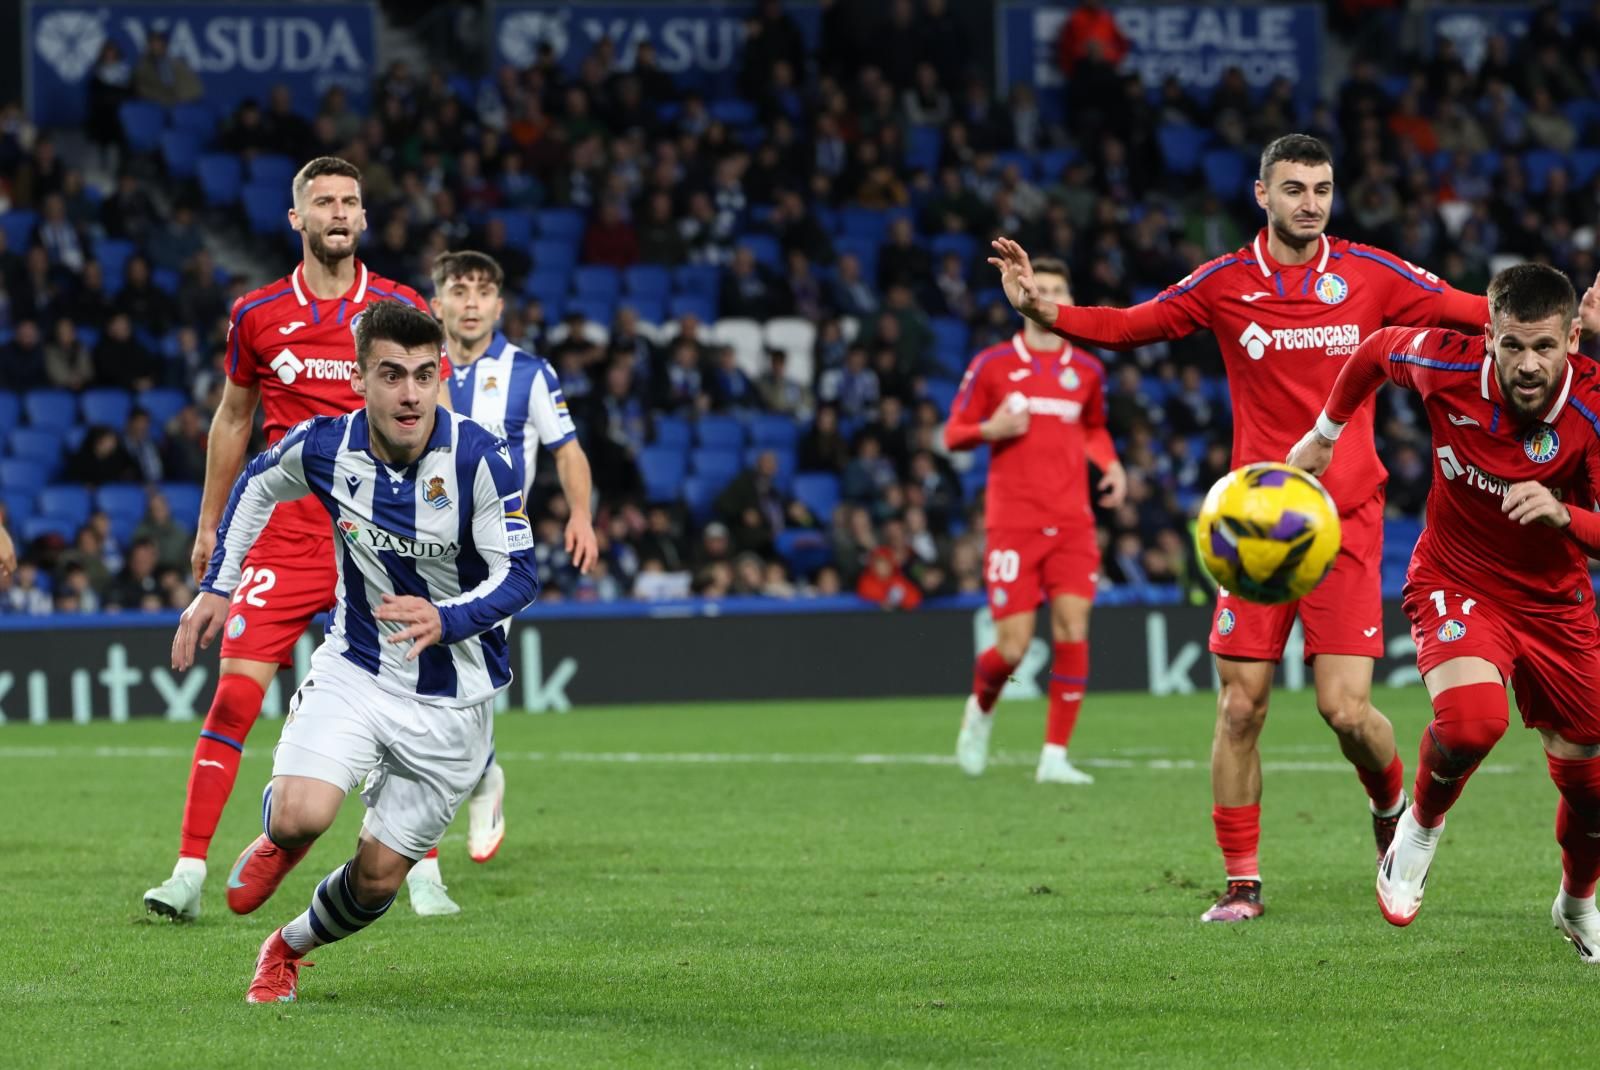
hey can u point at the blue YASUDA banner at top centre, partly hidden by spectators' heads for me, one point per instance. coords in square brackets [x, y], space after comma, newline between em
[700, 44]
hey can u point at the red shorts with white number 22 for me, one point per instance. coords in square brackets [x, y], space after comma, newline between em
[287, 581]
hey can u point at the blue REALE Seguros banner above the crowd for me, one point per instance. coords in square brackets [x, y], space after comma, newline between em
[1191, 42]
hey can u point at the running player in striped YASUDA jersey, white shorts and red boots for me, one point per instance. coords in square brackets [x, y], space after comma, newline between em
[434, 553]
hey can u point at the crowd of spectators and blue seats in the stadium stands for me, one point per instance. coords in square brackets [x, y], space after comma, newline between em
[793, 276]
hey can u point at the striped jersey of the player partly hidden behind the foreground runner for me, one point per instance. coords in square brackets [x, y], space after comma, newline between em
[516, 396]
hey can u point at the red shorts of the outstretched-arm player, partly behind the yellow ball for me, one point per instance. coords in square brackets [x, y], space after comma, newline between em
[1345, 615]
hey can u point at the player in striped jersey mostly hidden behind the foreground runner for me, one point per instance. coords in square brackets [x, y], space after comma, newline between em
[518, 397]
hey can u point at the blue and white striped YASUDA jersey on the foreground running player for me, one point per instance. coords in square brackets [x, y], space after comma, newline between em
[449, 529]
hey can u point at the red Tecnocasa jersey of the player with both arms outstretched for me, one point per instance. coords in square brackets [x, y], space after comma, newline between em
[1286, 332]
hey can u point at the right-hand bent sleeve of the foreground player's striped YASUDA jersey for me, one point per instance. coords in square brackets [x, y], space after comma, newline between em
[505, 538]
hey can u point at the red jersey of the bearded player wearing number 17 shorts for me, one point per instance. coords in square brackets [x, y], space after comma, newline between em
[1481, 452]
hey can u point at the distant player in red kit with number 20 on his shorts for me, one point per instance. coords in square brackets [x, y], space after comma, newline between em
[1041, 405]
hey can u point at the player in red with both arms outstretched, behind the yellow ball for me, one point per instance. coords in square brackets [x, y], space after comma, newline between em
[1287, 313]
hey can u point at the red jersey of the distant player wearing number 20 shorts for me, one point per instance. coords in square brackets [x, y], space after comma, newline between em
[1041, 477]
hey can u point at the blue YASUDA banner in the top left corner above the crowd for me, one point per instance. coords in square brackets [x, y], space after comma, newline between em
[239, 50]
